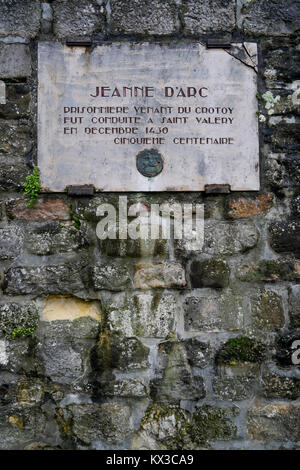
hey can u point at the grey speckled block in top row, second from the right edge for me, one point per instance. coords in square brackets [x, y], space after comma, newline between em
[208, 16]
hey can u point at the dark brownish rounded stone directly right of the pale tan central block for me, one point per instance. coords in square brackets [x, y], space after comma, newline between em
[209, 273]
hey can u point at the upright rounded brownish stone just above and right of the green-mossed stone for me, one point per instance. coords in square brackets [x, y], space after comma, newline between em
[267, 309]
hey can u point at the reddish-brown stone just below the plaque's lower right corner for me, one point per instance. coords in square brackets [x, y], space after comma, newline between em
[239, 208]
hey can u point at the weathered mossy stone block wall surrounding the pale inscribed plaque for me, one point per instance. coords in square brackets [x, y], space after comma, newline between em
[134, 345]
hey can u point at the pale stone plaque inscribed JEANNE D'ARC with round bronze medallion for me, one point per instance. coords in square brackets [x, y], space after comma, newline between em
[147, 117]
